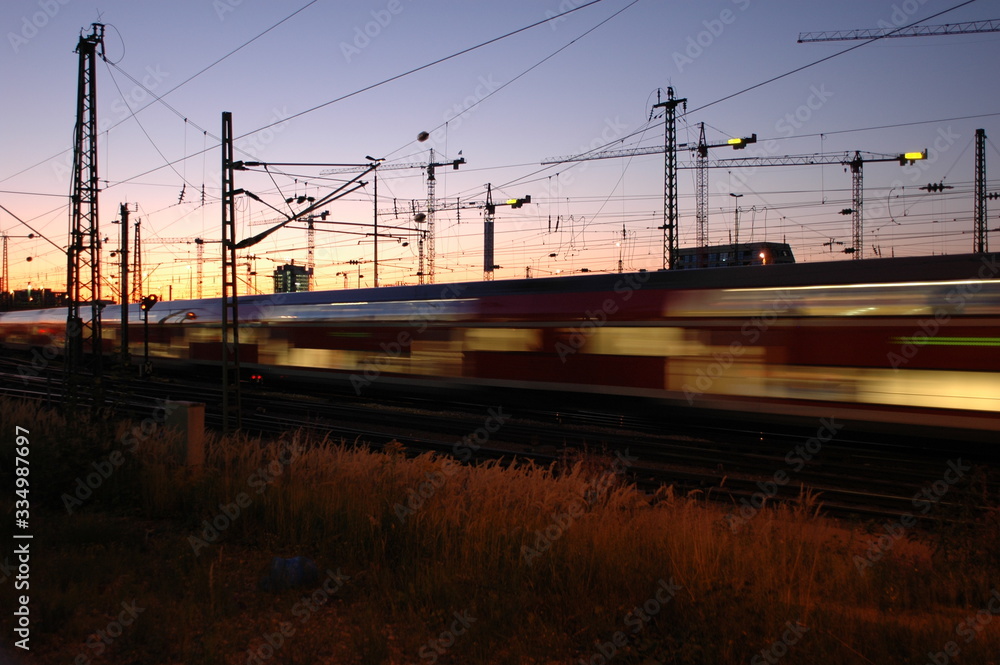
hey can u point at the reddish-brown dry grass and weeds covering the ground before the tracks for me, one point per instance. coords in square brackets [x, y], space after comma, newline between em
[424, 560]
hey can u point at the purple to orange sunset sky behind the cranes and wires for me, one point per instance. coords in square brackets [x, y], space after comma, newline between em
[325, 72]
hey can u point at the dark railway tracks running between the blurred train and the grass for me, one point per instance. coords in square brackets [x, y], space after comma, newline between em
[855, 476]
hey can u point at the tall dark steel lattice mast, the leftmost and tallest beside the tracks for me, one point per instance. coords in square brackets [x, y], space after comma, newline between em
[83, 275]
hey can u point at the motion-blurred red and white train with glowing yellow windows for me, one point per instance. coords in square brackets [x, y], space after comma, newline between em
[914, 340]
